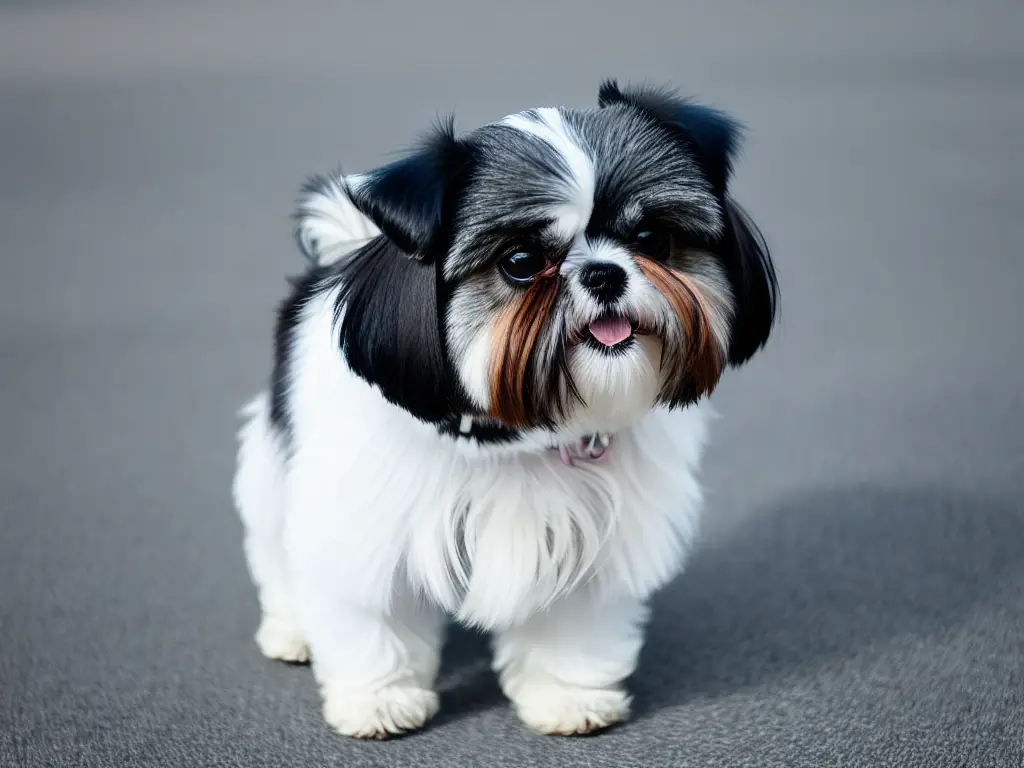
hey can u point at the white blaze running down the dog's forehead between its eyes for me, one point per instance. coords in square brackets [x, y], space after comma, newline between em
[549, 126]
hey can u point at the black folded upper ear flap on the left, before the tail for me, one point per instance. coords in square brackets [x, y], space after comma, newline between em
[407, 200]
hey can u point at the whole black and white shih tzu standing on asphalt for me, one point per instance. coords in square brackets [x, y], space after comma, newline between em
[488, 405]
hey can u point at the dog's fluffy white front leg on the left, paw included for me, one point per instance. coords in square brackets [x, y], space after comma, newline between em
[374, 645]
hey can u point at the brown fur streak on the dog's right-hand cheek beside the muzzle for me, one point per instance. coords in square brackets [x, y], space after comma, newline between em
[702, 361]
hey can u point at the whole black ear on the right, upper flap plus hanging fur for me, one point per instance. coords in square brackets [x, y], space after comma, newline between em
[715, 138]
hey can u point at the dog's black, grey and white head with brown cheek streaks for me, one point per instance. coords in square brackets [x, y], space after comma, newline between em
[560, 270]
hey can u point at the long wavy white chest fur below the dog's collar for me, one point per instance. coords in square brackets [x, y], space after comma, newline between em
[515, 536]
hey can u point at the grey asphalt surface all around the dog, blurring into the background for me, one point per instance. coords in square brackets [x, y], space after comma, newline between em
[858, 598]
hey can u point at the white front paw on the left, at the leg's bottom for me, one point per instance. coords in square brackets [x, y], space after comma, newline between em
[389, 712]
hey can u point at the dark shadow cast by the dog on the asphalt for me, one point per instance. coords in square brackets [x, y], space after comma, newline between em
[815, 578]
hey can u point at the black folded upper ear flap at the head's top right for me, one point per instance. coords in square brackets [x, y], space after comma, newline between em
[714, 136]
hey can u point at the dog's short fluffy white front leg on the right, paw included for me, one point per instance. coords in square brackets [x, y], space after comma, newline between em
[565, 669]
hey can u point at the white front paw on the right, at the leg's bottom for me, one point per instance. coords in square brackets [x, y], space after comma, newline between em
[551, 708]
